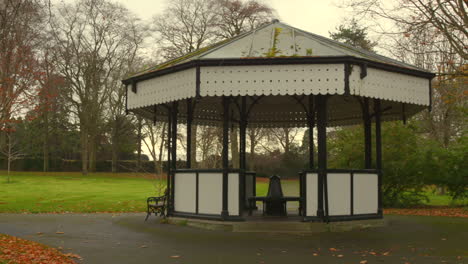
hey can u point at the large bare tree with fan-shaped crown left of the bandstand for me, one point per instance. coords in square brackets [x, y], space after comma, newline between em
[95, 42]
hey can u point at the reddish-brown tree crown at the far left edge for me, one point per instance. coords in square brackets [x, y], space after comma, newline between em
[20, 76]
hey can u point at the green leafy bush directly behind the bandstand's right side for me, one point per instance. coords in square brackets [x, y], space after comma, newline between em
[403, 181]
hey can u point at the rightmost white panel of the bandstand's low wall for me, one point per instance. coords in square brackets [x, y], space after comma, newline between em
[365, 194]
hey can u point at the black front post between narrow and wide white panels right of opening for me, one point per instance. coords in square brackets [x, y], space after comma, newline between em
[321, 103]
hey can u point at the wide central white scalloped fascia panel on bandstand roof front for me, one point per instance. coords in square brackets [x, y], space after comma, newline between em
[272, 80]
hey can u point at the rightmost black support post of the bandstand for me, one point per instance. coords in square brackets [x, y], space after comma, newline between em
[378, 150]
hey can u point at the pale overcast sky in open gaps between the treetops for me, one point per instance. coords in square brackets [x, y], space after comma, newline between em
[316, 16]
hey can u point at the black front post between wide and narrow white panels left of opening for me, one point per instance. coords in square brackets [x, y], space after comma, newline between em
[225, 155]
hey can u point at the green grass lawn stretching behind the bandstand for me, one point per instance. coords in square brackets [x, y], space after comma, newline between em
[36, 192]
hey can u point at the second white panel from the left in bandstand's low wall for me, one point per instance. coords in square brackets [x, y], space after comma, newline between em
[210, 191]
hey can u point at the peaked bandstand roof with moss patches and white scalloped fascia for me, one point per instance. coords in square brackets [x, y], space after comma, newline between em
[278, 66]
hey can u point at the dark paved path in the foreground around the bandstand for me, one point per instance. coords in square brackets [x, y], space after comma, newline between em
[125, 238]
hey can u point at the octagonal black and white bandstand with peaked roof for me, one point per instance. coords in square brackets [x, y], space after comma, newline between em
[278, 76]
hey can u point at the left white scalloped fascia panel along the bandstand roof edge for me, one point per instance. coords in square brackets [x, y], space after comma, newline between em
[162, 89]
